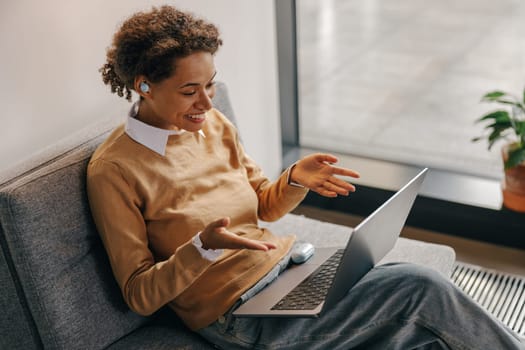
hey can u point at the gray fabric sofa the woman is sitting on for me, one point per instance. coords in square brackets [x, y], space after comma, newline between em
[58, 291]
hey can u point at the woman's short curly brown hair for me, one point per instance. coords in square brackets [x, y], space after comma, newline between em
[148, 43]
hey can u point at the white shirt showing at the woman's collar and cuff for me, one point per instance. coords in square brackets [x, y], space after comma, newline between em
[156, 139]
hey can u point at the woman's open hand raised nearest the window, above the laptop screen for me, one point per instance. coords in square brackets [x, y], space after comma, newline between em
[317, 173]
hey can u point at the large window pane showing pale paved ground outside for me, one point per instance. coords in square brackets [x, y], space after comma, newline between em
[402, 80]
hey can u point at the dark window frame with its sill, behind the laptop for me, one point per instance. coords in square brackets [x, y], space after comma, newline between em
[453, 203]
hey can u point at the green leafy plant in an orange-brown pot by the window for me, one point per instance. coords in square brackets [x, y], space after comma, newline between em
[508, 124]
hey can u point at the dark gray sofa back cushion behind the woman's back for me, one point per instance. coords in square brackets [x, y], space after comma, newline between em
[59, 258]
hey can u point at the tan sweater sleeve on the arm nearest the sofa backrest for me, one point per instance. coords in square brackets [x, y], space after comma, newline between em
[146, 285]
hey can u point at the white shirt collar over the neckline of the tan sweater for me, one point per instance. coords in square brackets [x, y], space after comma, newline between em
[152, 137]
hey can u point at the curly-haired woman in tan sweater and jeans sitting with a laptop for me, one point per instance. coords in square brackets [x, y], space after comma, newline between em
[176, 201]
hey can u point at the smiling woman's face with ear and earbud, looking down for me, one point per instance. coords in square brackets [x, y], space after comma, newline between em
[181, 101]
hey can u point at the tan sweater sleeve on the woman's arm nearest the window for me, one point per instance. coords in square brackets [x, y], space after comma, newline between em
[275, 198]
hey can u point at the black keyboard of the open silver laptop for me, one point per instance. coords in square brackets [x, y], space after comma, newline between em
[312, 291]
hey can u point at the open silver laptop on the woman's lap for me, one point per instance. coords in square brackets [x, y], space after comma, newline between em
[308, 289]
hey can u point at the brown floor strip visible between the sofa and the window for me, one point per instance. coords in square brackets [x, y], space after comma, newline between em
[503, 259]
